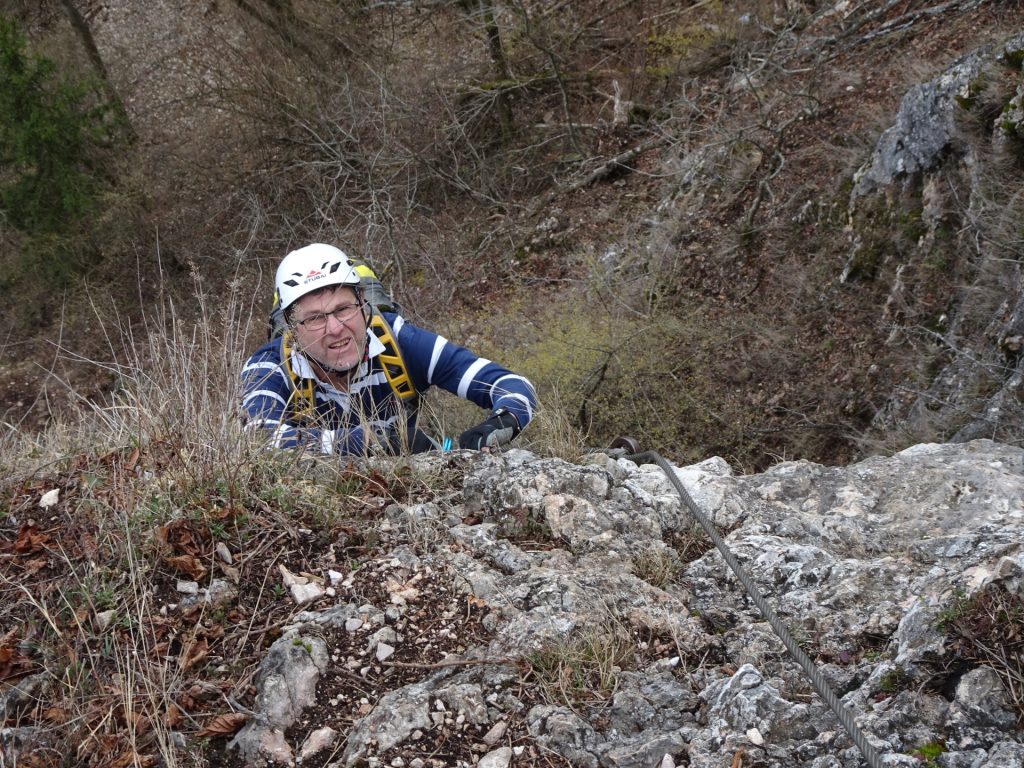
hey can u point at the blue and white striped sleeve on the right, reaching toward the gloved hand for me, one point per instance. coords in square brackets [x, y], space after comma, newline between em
[434, 361]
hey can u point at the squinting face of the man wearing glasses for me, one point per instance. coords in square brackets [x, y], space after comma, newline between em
[339, 344]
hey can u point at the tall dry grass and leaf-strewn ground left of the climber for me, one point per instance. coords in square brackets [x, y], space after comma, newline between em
[167, 450]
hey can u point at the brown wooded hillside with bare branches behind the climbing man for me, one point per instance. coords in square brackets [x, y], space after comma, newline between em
[648, 207]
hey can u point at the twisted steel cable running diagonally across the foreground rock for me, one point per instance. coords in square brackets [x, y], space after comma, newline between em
[818, 679]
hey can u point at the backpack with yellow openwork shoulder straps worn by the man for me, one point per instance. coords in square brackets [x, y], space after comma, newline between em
[396, 372]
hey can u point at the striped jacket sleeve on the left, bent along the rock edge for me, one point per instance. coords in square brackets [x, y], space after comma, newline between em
[266, 394]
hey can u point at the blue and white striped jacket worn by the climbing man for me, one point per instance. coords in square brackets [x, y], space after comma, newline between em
[343, 419]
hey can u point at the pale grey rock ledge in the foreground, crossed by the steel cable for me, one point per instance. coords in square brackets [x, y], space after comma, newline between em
[876, 568]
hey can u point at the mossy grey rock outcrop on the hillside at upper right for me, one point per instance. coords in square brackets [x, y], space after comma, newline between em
[946, 180]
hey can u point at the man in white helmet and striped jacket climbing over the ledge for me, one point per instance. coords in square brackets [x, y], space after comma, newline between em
[345, 377]
